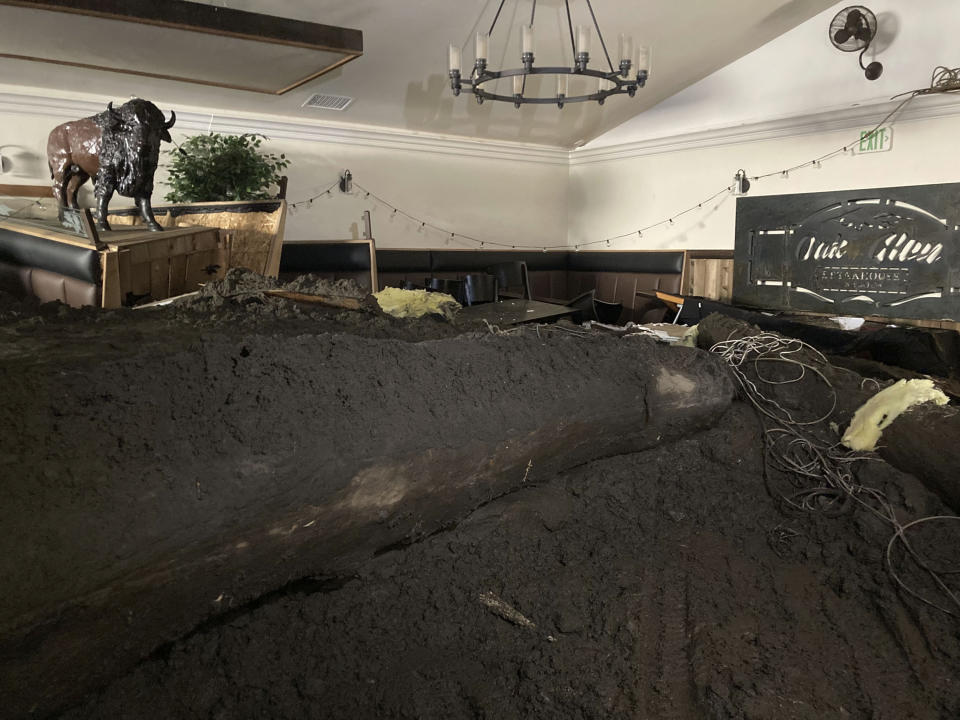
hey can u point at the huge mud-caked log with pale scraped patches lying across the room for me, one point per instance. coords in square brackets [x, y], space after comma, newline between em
[159, 472]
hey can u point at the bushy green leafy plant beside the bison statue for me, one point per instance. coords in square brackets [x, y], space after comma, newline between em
[215, 167]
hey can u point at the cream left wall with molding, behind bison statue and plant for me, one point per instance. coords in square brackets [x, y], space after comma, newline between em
[496, 192]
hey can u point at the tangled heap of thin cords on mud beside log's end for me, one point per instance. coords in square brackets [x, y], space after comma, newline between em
[821, 472]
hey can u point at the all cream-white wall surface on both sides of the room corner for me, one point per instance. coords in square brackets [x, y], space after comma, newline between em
[754, 114]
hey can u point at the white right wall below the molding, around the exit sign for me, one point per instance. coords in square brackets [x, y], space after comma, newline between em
[617, 196]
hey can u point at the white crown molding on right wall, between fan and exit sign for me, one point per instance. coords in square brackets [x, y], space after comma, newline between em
[923, 108]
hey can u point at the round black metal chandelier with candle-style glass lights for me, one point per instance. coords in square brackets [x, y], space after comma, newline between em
[632, 73]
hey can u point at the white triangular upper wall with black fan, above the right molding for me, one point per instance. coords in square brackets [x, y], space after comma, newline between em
[801, 74]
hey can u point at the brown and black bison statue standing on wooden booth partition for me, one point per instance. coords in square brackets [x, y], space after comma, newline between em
[119, 148]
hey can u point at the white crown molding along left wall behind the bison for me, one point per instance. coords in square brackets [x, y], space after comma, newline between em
[309, 131]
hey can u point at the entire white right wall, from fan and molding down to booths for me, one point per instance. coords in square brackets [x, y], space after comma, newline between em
[788, 102]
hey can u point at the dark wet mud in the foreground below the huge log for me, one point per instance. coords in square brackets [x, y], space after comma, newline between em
[663, 584]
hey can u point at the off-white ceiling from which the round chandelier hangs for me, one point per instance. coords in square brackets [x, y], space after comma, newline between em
[401, 81]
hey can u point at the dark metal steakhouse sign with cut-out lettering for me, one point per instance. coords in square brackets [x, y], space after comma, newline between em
[891, 252]
